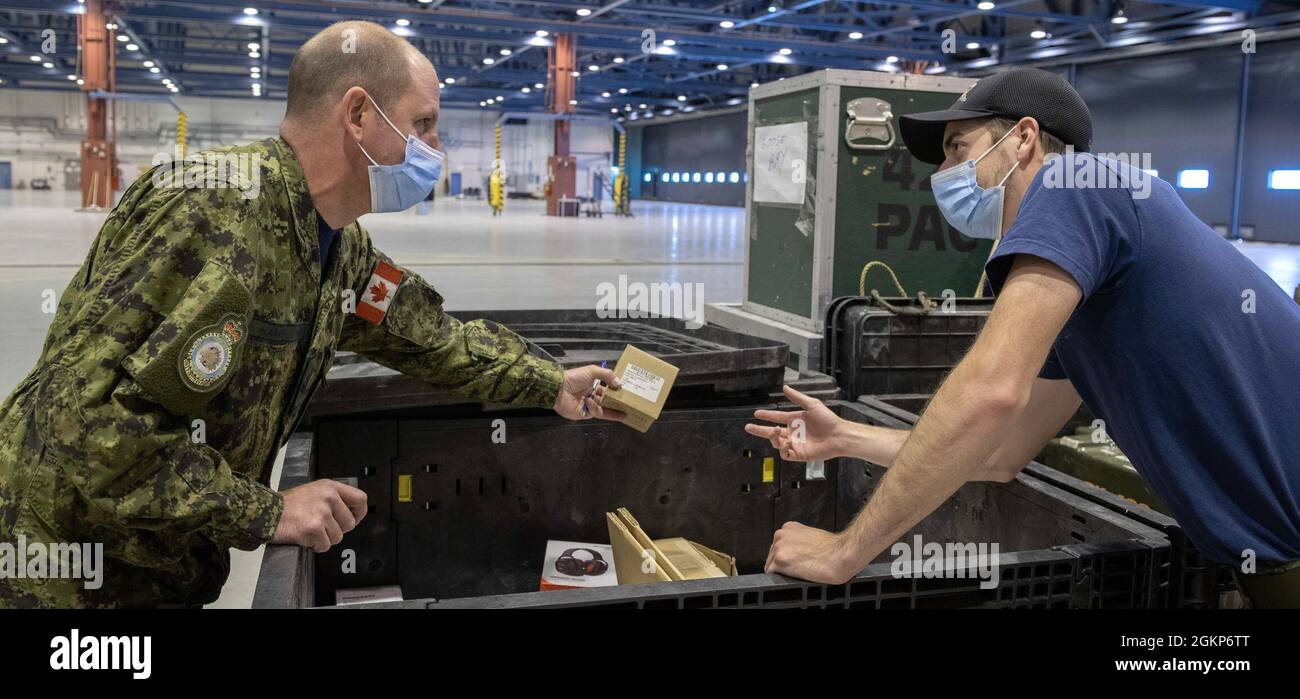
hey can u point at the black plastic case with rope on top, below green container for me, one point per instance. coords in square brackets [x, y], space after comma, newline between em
[902, 349]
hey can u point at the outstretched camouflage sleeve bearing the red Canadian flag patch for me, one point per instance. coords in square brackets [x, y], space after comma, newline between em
[478, 359]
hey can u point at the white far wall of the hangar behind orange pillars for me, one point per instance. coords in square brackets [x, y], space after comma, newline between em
[41, 133]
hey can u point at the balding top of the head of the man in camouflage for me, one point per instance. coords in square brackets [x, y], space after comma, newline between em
[349, 55]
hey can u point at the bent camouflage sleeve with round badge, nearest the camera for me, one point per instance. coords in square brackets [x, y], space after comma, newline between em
[120, 413]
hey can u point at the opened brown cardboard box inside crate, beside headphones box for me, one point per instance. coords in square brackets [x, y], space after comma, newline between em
[639, 559]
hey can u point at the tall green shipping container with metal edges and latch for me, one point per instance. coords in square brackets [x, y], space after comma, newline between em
[831, 189]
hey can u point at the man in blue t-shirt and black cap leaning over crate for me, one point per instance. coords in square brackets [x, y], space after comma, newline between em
[1108, 289]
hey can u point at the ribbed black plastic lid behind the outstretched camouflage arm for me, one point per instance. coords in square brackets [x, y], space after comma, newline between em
[712, 362]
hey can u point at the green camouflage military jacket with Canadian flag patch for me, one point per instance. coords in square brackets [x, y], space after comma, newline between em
[180, 361]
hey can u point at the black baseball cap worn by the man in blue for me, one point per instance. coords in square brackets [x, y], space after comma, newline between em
[1012, 94]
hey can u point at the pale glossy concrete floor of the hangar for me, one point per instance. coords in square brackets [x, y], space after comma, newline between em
[517, 262]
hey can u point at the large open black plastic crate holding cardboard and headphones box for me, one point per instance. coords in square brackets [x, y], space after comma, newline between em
[475, 528]
